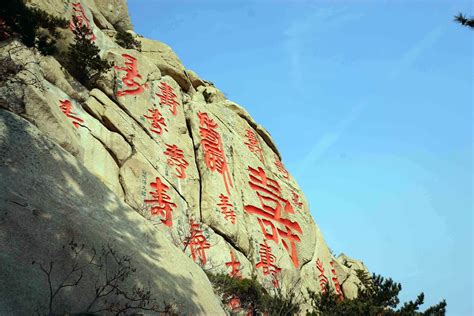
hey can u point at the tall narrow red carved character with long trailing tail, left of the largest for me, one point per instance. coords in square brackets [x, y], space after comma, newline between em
[211, 143]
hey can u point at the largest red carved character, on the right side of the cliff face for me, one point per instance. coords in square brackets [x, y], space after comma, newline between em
[272, 204]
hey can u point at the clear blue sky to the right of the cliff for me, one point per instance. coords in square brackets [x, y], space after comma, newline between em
[370, 104]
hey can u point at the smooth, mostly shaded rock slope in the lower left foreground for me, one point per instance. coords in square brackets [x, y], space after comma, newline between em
[50, 198]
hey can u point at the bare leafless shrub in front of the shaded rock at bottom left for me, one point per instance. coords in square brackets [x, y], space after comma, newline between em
[110, 293]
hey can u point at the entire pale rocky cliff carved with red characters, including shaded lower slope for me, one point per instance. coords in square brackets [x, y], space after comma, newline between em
[153, 163]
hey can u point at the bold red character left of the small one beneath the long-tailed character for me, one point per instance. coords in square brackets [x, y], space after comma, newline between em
[161, 202]
